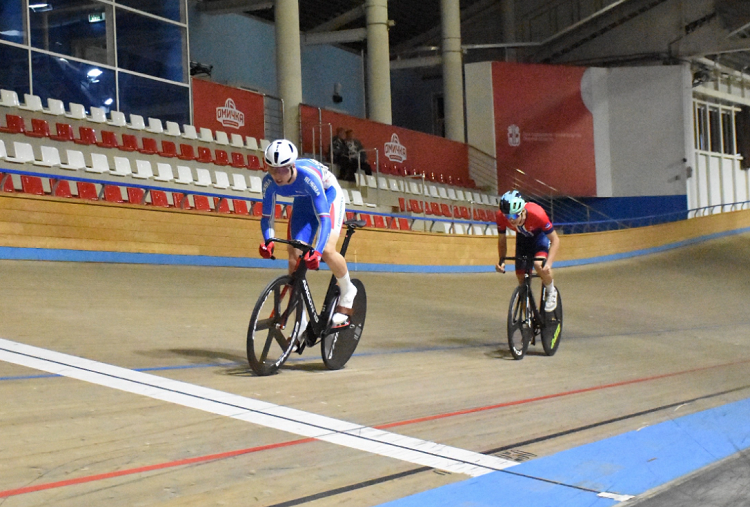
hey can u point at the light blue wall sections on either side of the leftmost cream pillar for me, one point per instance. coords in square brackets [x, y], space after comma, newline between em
[243, 53]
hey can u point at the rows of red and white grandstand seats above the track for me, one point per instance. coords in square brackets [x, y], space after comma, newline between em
[130, 160]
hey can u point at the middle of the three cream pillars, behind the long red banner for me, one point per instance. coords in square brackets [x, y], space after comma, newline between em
[378, 62]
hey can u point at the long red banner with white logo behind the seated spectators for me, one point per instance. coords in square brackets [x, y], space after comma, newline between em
[398, 146]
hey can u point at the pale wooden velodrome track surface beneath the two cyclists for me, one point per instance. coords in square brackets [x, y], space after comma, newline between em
[665, 330]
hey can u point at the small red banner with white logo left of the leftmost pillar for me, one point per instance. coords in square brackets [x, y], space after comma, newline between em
[231, 110]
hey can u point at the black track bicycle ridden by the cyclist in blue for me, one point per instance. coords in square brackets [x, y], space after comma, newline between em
[274, 330]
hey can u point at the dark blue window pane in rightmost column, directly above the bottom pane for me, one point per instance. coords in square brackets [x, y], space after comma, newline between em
[150, 46]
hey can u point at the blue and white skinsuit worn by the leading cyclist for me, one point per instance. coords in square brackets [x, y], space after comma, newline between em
[316, 194]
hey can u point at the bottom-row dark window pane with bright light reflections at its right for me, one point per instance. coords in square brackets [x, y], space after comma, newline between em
[59, 78]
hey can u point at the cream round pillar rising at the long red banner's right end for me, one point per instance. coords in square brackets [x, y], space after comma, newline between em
[453, 81]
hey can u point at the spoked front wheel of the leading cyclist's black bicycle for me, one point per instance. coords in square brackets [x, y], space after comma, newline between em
[274, 326]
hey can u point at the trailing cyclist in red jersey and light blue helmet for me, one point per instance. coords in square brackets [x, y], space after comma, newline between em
[535, 237]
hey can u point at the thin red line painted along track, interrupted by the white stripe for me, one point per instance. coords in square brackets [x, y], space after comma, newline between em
[239, 452]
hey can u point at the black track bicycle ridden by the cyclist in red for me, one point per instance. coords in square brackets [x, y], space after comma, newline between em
[526, 321]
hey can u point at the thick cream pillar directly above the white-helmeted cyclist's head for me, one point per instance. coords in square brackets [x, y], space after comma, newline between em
[289, 65]
